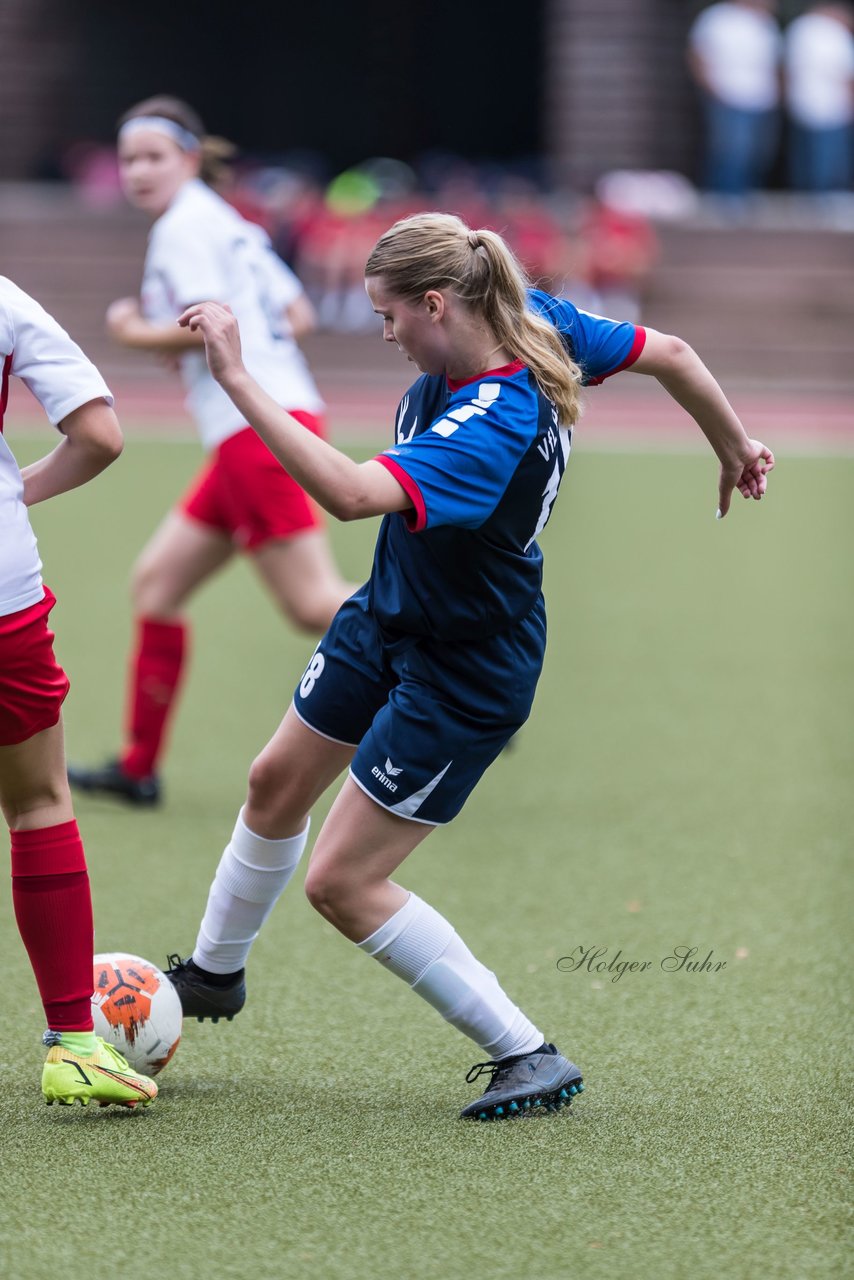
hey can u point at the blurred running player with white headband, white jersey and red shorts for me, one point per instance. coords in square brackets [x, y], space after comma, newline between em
[200, 248]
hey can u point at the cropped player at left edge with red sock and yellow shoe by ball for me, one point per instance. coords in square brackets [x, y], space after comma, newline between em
[51, 889]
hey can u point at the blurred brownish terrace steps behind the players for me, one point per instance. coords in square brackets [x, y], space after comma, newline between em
[766, 308]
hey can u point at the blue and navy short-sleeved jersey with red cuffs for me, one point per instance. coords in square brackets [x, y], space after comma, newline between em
[482, 463]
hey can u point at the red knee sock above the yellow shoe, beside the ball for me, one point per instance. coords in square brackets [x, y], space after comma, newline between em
[54, 912]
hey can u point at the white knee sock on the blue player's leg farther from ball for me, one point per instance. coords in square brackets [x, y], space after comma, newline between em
[423, 949]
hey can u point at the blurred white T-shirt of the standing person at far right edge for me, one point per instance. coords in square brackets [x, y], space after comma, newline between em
[820, 72]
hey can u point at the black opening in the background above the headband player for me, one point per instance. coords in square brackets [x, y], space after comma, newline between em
[357, 80]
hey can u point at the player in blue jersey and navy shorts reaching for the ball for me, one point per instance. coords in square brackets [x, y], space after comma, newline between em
[430, 670]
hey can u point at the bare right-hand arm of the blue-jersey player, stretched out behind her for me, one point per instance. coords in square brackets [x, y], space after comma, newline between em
[745, 463]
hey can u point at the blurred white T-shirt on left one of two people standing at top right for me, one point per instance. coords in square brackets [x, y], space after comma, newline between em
[741, 49]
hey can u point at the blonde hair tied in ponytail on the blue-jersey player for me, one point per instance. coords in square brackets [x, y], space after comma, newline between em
[436, 252]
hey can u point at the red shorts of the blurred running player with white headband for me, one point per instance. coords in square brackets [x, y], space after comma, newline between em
[246, 493]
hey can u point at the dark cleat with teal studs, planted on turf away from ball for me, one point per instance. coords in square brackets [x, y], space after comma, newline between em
[528, 1084]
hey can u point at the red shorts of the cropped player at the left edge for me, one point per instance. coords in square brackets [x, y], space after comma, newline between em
[33, 684]
